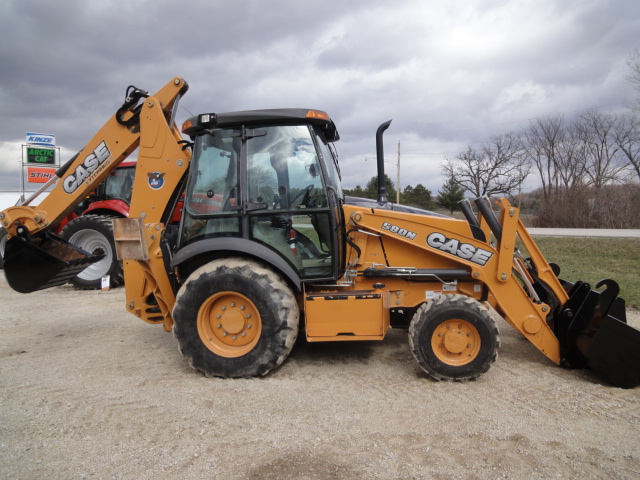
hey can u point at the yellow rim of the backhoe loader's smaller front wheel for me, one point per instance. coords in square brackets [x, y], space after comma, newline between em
[456, 342]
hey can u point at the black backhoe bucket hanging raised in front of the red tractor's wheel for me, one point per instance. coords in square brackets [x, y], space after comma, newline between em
[43, 262]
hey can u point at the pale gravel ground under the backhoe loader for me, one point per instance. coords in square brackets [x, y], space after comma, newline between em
[89, 391]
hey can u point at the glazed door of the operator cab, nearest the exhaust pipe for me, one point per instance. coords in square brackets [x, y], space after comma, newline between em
[290, 211]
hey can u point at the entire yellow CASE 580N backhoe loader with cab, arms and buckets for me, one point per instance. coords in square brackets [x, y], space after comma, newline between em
[268, 244]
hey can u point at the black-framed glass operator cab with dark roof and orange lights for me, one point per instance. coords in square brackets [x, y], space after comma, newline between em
[271, 178]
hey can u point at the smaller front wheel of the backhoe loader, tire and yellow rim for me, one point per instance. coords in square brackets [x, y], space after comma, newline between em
[454, 338]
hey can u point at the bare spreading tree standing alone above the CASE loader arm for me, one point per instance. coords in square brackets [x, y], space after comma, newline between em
[498, 167]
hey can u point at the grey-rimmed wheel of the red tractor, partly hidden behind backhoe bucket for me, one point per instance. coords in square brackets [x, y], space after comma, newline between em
[91, 233]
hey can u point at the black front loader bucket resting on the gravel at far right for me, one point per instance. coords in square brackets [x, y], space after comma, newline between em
[593, 332]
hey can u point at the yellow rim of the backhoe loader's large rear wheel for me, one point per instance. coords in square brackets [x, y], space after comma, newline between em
[229, 324]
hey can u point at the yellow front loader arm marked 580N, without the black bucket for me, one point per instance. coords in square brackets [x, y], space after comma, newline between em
[444, 242]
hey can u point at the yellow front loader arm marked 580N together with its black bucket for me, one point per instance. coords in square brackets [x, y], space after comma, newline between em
[571, 324]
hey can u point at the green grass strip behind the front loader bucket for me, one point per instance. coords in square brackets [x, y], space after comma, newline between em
[592, 259]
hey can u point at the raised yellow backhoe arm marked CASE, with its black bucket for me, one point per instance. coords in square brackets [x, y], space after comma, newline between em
[37, 259]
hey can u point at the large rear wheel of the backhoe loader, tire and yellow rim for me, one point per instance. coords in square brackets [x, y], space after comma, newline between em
[235, 318]
